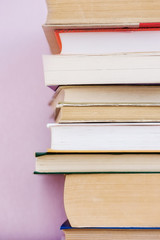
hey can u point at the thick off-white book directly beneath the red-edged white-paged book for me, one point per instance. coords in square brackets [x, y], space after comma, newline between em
[103, 69]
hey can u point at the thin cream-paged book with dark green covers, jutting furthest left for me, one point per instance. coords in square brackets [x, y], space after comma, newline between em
[69, 162]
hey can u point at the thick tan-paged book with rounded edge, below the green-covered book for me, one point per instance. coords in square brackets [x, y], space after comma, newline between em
[112, 200]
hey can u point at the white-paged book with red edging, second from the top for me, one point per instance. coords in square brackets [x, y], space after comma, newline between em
[109, 41]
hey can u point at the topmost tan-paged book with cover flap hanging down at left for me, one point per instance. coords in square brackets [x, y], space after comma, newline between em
[95, 14]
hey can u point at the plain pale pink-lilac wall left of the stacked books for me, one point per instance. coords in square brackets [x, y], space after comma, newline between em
[31, 206]
